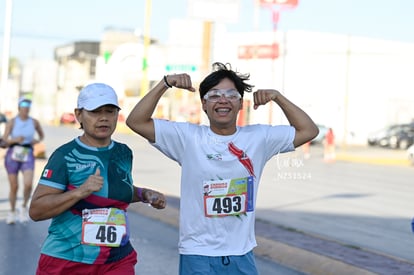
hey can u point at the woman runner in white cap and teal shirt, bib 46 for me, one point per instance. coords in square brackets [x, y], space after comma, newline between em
[85, 188]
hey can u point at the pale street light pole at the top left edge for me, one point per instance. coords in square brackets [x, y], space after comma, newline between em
[6, 49]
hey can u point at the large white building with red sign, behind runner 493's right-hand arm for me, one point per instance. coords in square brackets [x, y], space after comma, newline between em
[355, 85]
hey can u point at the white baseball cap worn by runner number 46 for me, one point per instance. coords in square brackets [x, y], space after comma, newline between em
[95, 95]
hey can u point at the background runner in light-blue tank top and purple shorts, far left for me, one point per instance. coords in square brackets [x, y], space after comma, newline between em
[20, 137]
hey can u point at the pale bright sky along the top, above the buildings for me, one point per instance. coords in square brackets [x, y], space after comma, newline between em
[39, 26]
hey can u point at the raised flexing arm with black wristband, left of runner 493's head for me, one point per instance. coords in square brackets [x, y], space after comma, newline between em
[140, 119]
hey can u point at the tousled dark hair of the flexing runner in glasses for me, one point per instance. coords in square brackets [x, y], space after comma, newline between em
[221, 71]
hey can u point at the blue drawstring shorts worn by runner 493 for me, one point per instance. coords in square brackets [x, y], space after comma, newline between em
[229, 265]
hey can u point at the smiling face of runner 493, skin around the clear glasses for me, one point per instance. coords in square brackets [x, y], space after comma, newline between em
[223, 113]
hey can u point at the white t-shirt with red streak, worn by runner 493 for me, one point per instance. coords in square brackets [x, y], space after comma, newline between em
[205, 159]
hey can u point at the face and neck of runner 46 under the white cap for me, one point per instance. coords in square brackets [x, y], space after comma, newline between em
[98, 125]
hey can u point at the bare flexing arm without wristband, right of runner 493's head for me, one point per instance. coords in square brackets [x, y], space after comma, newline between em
[306, 129]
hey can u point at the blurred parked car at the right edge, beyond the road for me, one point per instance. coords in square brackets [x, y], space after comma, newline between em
[397, 136]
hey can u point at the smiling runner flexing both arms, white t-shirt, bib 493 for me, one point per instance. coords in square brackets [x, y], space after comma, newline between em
[217, 227]
